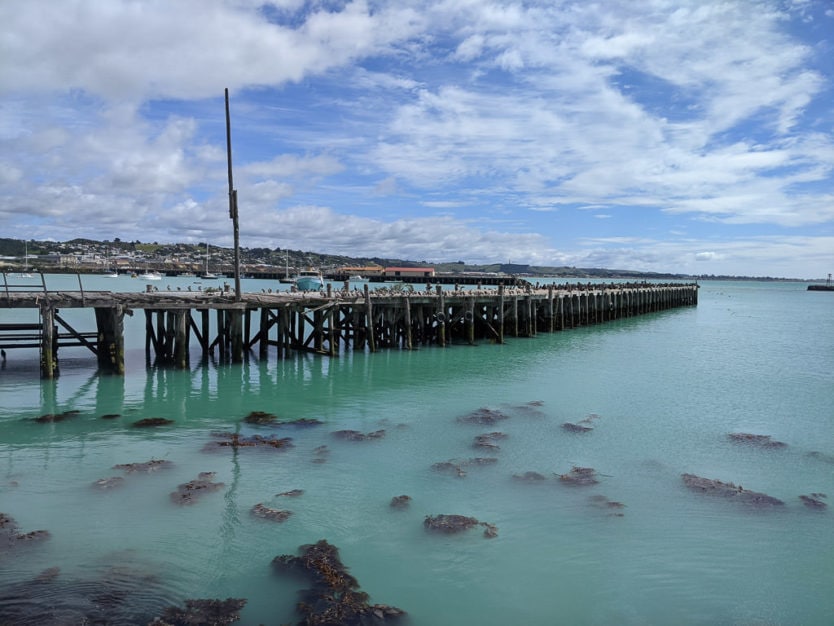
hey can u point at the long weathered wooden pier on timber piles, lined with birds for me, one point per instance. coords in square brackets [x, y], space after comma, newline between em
[325, 323]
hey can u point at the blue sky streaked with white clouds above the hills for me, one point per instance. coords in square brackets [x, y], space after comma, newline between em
[669, 136]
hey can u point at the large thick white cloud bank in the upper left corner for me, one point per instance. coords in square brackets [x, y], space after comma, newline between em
[184, 49]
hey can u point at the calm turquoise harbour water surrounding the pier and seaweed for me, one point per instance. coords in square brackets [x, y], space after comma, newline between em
[667, 388]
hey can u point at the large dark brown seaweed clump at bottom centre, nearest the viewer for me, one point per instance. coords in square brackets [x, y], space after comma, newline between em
[335, 596]
